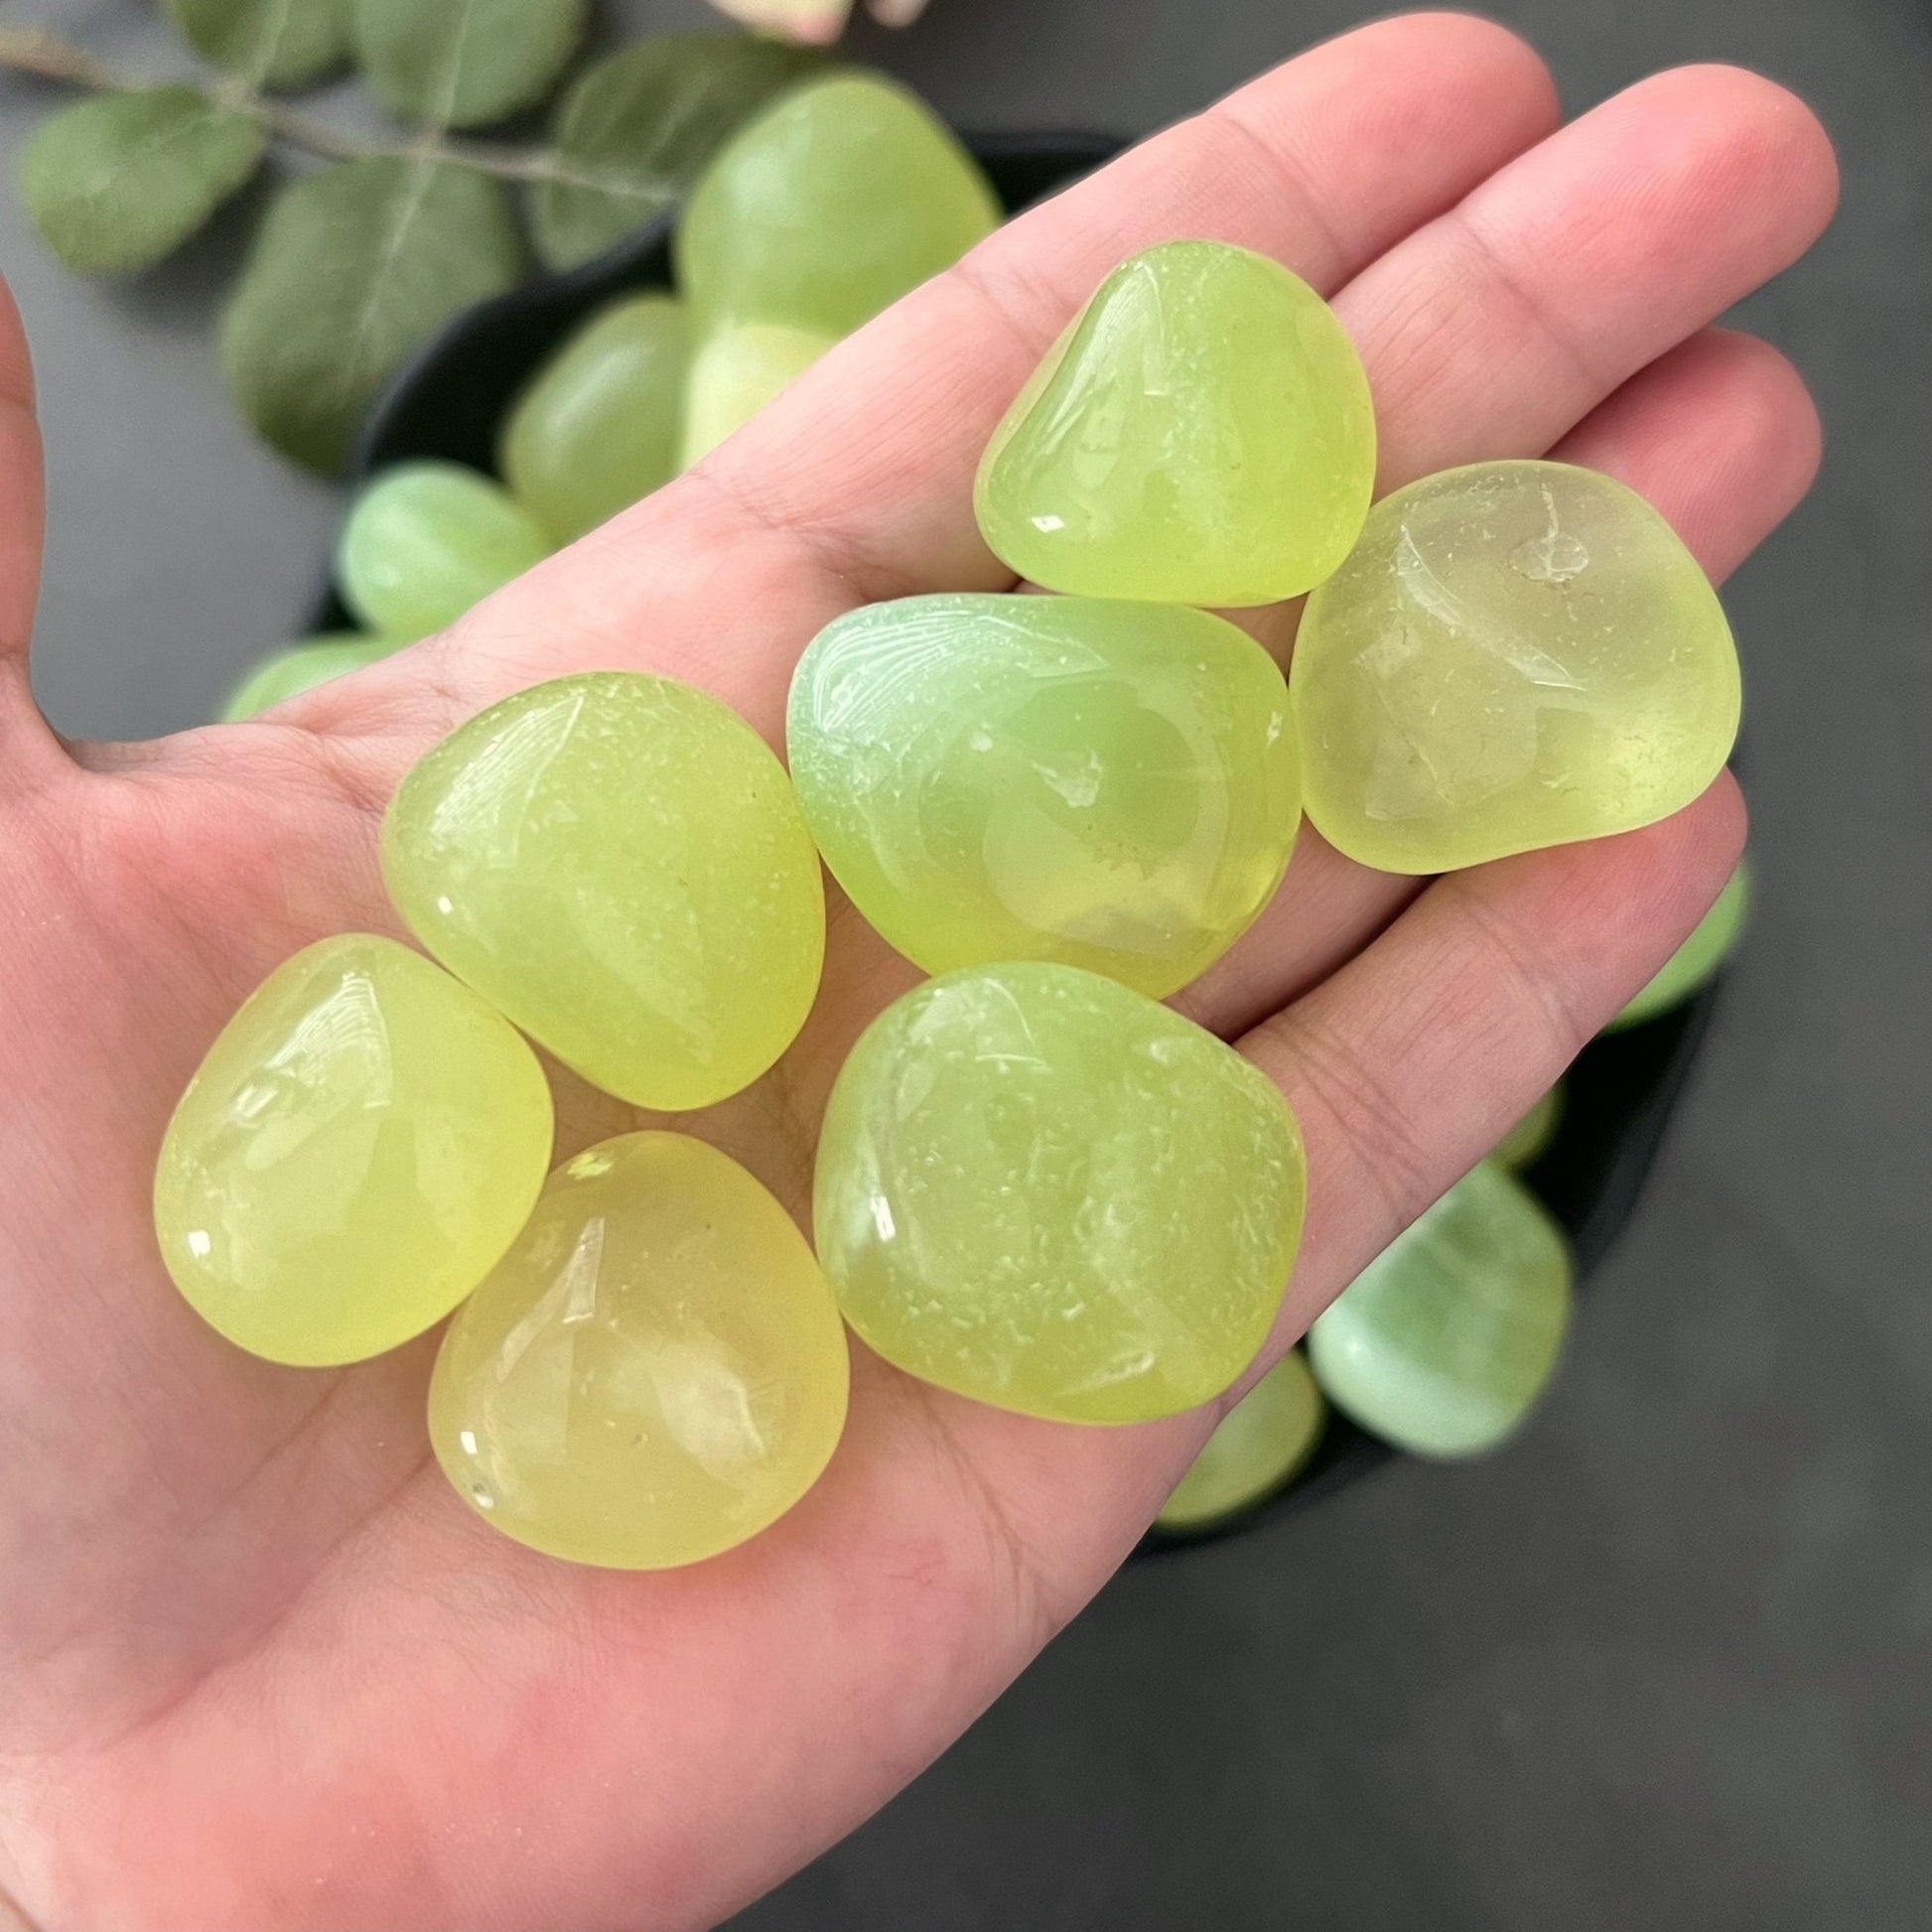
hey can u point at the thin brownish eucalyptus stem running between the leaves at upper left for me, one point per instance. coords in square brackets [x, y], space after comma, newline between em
[43, 53]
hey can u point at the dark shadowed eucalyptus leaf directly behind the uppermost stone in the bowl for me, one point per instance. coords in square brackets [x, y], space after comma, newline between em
[650, 117]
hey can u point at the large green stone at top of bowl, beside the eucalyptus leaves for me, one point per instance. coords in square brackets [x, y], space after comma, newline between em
[828, 208]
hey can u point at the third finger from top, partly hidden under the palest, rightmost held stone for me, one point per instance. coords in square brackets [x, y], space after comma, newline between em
[1722, 438]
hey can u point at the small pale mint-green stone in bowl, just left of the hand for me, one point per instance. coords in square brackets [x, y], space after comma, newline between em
[426, 542]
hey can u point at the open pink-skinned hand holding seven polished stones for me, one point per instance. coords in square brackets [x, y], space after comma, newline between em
[262, 1670]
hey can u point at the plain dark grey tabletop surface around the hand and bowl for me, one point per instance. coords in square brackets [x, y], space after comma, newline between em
[1664, 1662]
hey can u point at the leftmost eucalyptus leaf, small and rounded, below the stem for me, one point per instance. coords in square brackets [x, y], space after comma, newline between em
[117, 183]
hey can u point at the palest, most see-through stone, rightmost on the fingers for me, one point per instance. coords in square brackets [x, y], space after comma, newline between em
[1516, 656]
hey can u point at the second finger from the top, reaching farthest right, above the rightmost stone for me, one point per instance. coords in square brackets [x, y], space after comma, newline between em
[1577, 266]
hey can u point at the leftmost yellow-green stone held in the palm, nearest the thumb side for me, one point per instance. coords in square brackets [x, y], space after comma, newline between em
[355, 1154]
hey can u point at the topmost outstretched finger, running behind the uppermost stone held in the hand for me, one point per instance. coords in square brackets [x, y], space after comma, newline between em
[1326, 163]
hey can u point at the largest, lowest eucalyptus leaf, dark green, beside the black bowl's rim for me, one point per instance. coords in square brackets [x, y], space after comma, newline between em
[355, 268]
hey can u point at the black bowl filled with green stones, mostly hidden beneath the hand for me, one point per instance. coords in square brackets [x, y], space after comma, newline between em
[451, 399]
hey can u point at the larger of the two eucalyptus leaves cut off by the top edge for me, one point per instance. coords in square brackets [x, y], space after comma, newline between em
[465, 63]
